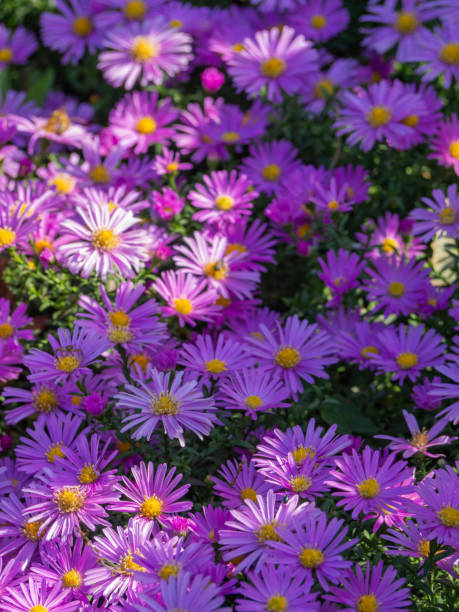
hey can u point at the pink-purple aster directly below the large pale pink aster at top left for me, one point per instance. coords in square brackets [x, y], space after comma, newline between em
[138, 121]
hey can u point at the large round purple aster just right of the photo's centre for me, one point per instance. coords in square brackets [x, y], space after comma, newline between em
[296, 351]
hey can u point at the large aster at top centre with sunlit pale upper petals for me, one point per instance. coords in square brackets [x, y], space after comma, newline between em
[275, 59]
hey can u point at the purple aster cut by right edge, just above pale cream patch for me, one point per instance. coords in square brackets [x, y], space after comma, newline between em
[442, 218]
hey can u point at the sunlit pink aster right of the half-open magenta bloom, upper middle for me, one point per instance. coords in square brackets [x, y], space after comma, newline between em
[226, 198]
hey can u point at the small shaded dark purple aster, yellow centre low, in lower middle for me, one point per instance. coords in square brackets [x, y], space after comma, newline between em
[240, 481]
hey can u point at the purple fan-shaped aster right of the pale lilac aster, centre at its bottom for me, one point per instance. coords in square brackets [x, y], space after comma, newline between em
[252, 391]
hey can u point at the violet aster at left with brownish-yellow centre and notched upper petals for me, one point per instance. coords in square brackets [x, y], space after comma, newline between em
[72, 354]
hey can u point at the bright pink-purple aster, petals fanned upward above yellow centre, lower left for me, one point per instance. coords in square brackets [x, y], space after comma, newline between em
[152, 495]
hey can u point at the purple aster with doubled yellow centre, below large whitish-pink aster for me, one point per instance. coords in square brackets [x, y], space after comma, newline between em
[123, 322]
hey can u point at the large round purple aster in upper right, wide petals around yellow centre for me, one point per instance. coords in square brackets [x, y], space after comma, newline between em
[377, 114]
